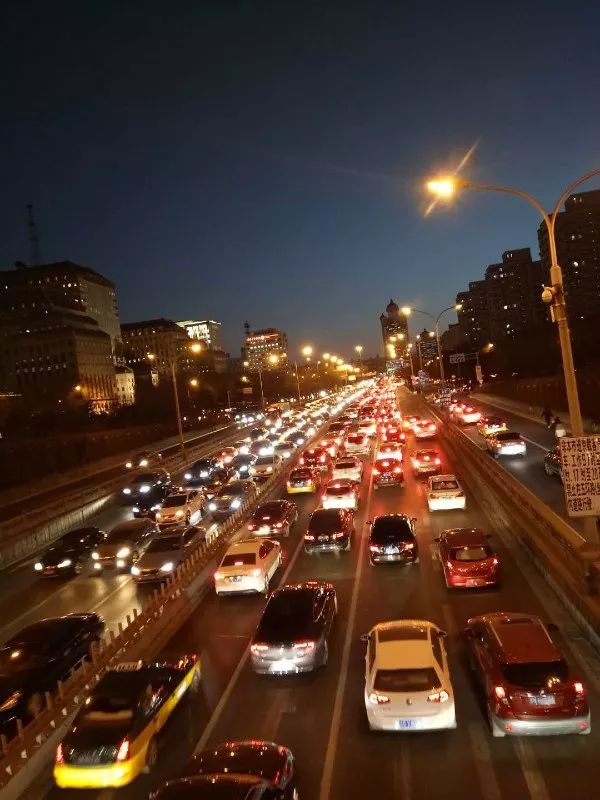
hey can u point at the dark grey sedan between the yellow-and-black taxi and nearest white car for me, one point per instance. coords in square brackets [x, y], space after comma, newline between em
[292, 635]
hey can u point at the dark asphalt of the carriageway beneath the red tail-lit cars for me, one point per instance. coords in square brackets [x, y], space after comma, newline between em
[321, 716]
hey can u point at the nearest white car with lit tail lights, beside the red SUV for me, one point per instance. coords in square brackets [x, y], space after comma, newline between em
[407, 679]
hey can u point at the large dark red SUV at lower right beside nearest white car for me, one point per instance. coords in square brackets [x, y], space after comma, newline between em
[528, 686]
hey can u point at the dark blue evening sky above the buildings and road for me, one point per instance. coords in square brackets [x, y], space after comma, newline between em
[263, 160]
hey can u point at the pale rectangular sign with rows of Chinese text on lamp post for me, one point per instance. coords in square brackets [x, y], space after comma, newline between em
[580, 462]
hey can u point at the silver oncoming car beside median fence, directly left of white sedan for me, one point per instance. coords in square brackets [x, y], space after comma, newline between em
[166, 551]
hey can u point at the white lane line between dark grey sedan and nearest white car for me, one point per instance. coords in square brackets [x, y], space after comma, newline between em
[334, 729]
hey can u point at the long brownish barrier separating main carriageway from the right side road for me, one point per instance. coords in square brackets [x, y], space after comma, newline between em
[563, 551]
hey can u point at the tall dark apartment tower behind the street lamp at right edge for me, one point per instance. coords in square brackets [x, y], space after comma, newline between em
[577, 234]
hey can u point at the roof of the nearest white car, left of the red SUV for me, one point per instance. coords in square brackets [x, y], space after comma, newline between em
[404, 644]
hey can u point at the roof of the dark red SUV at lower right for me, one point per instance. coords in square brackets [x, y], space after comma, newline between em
[521, 637]
